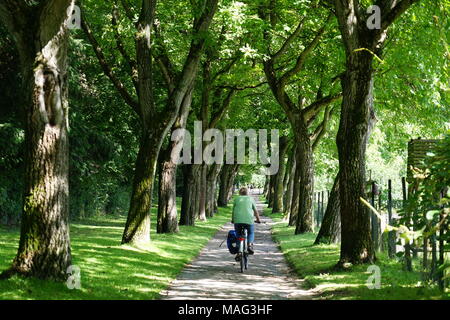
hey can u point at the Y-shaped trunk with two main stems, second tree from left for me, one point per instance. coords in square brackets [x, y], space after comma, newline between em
[157, 124]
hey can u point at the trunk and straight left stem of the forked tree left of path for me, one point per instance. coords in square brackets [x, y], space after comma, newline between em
[137, 227]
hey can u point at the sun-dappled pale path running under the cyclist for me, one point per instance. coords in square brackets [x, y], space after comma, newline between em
[215, 275]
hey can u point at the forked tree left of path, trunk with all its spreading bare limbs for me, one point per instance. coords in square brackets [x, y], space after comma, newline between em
[155, 121]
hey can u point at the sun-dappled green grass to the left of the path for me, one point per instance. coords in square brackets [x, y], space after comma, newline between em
[110, 270]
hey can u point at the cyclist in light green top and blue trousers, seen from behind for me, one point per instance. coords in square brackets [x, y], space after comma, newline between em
[244, 211]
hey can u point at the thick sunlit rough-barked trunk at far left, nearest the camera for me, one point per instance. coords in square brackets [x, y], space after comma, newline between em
[44, 246]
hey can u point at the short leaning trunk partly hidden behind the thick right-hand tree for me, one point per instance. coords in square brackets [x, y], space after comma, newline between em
[330, 230]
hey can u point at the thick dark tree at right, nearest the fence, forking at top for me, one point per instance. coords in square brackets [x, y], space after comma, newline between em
[361, 44]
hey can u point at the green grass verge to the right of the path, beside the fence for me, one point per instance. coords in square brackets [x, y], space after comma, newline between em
[315, 264]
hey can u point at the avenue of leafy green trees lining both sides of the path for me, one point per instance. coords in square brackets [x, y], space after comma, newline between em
[87, 113]
